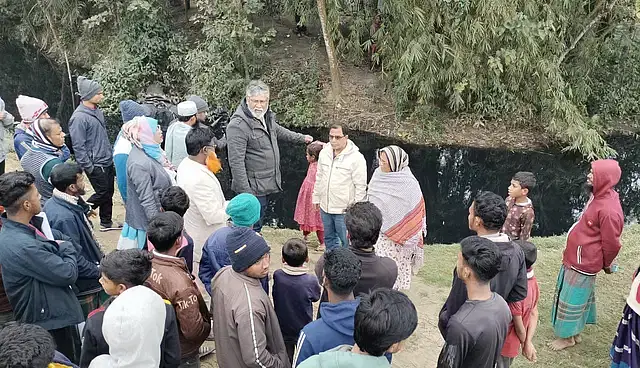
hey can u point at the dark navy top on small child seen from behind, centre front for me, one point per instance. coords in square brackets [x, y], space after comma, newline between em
[293, 298]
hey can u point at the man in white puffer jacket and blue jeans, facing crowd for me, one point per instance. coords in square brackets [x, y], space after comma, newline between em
[341, 180]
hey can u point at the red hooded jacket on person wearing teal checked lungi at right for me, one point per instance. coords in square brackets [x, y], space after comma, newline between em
[594, 241]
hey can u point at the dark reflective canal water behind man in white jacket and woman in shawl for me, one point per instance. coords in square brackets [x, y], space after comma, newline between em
[451, 176]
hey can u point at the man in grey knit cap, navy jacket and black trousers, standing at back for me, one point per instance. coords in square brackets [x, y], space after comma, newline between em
[93, 151]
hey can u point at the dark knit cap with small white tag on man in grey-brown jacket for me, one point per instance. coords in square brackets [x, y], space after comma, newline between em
[245, 247]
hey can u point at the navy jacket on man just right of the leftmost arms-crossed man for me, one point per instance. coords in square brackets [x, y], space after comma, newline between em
[69, 219]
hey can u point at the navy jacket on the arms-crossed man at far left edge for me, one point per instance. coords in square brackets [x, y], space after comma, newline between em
[37, 274]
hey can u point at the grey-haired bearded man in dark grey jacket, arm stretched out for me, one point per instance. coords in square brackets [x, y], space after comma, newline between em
[252, 141]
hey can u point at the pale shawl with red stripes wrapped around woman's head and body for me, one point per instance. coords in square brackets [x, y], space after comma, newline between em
[398, 196]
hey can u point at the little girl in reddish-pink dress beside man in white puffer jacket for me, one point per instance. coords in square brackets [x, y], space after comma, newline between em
[306, 216]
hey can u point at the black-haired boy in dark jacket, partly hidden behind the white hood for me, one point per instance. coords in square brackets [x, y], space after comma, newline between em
[122, 270]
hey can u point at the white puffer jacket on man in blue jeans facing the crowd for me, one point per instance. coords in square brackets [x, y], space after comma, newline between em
[341, 180]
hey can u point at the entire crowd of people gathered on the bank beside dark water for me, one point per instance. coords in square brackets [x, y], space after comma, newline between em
[191, 265]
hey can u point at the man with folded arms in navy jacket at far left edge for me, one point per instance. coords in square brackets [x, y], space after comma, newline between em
[37, 271]
